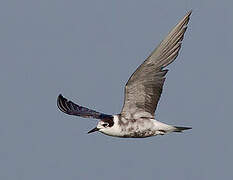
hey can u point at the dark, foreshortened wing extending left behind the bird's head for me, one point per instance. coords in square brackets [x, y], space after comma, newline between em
[71, 108]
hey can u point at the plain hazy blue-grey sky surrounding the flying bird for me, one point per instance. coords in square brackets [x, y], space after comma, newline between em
[87, 50]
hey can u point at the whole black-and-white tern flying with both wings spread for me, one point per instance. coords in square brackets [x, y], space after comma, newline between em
[142, 94]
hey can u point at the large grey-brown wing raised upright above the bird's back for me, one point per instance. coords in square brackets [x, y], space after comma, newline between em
[144, 87]
